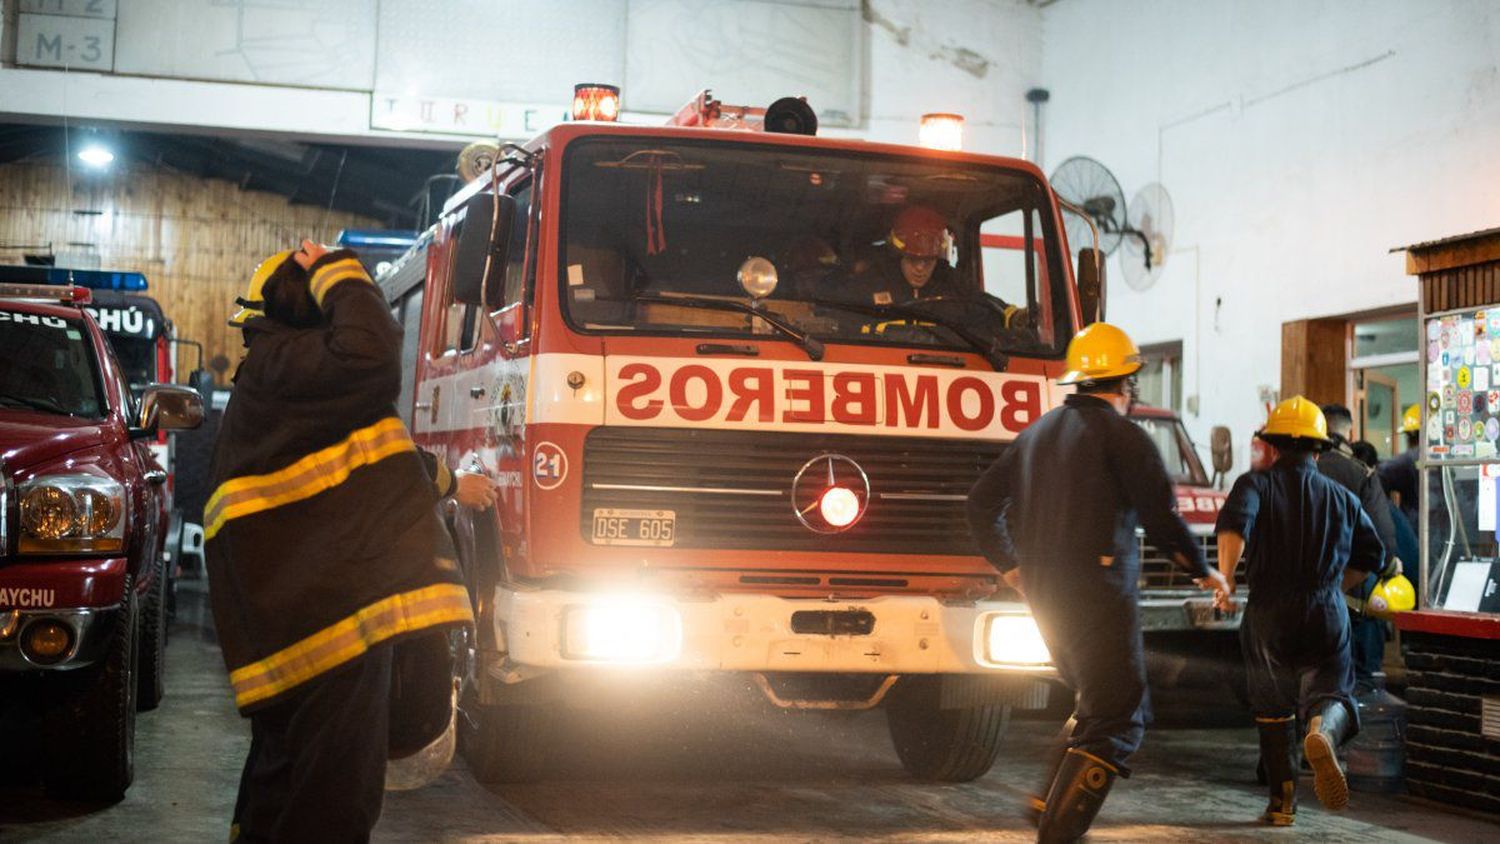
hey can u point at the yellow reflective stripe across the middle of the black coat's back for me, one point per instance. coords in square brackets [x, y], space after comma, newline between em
[320, 471]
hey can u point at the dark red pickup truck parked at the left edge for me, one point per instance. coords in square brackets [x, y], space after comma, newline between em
[83, 516]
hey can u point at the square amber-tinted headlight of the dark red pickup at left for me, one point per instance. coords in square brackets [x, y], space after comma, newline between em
[71, 515]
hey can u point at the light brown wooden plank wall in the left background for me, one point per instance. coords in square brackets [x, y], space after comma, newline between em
[196, 239]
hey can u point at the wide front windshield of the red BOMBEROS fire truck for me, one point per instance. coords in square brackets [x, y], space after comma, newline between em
[865, 248]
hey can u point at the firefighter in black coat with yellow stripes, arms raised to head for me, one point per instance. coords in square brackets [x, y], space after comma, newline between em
[326, 555]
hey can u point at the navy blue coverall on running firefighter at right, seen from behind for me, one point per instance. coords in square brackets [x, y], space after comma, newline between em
[1301, 530]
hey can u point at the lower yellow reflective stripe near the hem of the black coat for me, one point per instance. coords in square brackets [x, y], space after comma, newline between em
[332, 647]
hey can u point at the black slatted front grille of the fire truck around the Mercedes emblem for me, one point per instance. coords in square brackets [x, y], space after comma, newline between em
[733, 489]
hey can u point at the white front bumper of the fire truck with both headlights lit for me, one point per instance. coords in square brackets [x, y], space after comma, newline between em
[761, 633]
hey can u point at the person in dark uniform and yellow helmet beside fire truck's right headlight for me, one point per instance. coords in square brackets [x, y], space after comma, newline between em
[1057, 515]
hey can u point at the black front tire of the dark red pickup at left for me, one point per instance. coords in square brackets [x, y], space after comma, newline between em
[91, 729]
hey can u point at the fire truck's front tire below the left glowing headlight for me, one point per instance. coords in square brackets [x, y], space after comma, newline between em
[509, 743]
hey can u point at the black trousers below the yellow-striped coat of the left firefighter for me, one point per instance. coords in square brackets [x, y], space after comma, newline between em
[317, 765]
